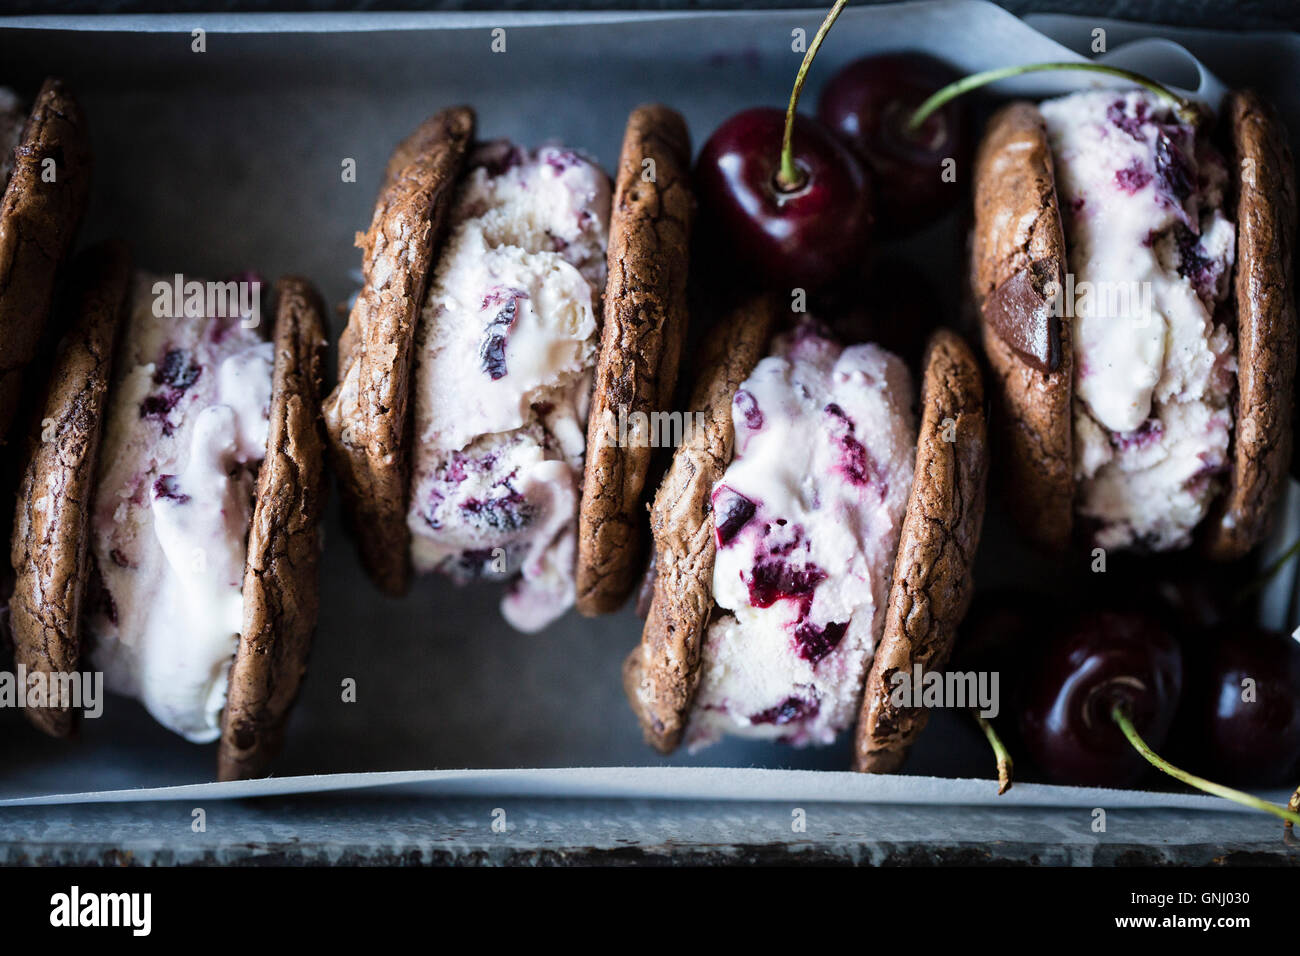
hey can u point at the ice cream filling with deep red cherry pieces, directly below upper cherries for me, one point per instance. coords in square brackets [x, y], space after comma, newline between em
[807, 518]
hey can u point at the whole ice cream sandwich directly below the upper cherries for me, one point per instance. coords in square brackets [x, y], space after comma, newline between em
[812, 540]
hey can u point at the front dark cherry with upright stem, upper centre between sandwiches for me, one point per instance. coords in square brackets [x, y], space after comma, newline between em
[801, 237]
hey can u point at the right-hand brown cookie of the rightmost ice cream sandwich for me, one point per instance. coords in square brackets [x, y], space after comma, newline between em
[1266, 328]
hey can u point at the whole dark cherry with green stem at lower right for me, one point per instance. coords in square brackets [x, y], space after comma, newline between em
[1106, 657]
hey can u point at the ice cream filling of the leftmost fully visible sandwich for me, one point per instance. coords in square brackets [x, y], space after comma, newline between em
[185, 432]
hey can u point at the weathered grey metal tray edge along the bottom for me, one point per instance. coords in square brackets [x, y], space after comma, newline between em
[470, 833]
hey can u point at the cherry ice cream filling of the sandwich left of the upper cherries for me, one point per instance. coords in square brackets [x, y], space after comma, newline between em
[505, 354]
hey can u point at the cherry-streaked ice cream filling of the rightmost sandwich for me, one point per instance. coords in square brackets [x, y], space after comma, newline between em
[1151, 256]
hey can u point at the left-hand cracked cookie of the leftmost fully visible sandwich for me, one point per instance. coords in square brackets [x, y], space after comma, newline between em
[50, 542]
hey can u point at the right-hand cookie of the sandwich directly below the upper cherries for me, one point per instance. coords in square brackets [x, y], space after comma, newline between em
[941, 533]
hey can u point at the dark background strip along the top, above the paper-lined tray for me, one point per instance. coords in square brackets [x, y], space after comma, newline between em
[1223, 15]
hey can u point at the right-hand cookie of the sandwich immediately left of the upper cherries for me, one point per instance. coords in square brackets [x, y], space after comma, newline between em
[645, 321]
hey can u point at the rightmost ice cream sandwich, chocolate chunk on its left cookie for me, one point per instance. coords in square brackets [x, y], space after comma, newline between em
[1134, 282]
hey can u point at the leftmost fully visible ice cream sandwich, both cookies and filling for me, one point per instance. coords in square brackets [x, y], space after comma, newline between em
[167, 524]
